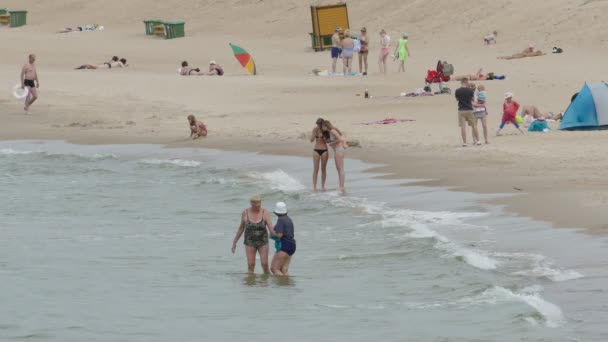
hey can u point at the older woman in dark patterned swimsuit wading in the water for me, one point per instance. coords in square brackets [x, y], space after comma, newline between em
[255, 223]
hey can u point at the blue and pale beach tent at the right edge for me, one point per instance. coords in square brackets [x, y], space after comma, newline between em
[589, 110]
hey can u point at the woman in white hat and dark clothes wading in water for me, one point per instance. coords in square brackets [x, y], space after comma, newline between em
[283, 230]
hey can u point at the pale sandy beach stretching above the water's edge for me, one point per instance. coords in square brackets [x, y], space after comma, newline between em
[558, 177]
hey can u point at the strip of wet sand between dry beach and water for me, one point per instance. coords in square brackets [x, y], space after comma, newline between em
[417, 169]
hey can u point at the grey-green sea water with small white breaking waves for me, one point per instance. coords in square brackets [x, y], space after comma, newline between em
[132, 243]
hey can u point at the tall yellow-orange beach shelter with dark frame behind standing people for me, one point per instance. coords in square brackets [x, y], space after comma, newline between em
[325, 19]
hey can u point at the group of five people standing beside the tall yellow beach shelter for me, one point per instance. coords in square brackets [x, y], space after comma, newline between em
[346, 47]
